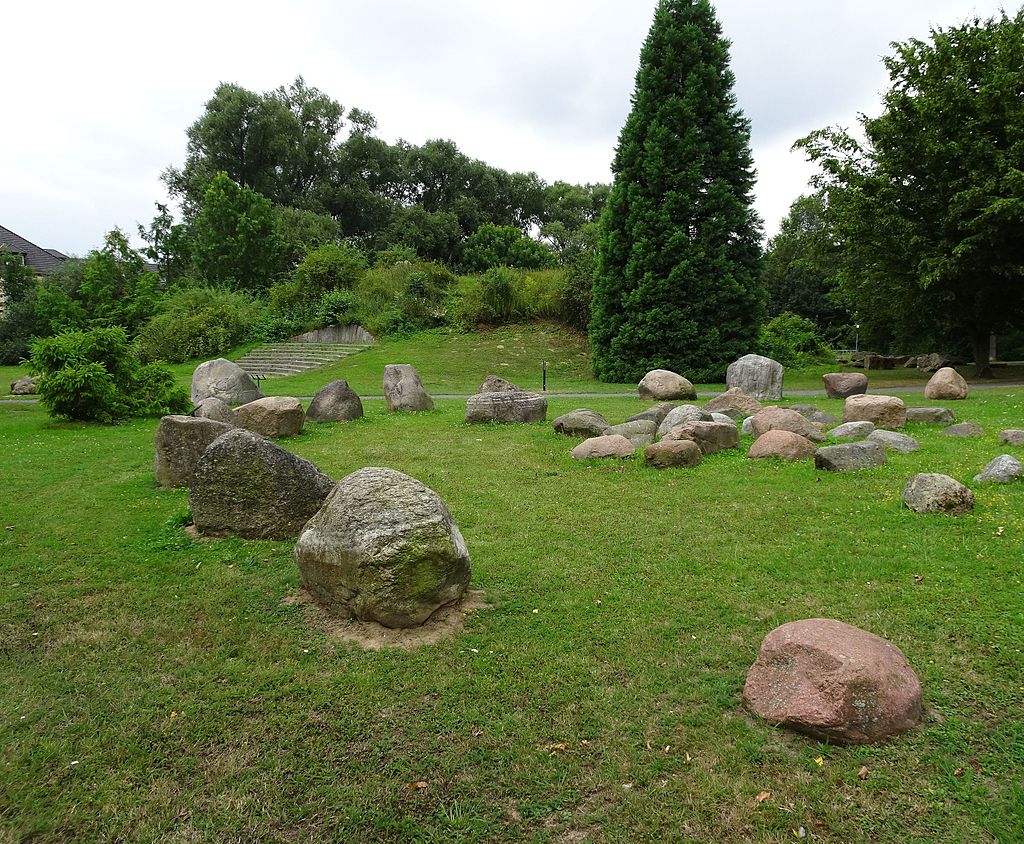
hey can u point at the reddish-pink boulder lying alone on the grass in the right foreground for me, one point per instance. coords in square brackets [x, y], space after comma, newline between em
[835, 683]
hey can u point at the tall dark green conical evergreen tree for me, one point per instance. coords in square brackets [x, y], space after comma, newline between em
[677, 282]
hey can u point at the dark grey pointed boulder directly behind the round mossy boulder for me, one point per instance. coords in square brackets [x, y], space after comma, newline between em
[246, 486]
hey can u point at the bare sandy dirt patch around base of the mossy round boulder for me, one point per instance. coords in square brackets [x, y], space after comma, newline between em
[448, 621]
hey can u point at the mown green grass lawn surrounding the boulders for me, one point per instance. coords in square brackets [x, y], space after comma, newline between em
[158, 689]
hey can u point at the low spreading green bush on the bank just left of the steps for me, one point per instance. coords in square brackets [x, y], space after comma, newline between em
[199, 322]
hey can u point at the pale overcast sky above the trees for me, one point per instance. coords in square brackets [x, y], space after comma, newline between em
[100, 95]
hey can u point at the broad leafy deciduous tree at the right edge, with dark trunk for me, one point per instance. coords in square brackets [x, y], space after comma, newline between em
[929, 207]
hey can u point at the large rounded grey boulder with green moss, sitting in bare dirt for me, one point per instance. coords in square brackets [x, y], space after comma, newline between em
[383, 548]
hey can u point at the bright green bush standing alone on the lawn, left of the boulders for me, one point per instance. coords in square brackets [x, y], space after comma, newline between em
[96, 376]
